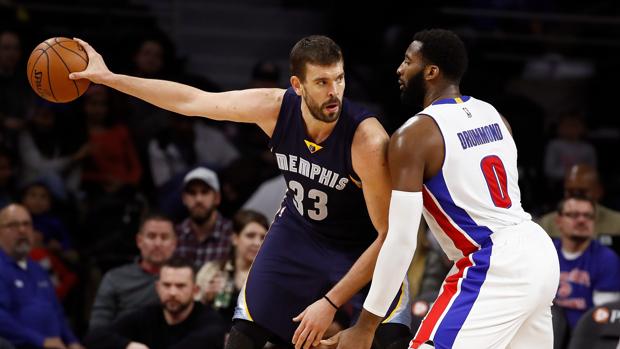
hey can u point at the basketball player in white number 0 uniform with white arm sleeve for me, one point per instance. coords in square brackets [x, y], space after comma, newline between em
[457, 162]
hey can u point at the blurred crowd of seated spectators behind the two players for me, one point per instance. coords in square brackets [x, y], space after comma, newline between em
[126, 224]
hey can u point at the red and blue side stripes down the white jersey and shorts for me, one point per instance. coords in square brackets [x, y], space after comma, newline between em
[461, 289]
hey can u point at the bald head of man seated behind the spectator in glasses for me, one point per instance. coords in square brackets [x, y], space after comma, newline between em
[583, 180]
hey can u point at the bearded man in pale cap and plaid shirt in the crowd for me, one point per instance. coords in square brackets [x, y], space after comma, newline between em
[205, 235]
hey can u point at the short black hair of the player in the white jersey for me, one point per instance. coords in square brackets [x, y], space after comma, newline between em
[445, 49]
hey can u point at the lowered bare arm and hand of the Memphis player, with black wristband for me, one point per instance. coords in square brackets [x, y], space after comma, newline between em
[369, 157]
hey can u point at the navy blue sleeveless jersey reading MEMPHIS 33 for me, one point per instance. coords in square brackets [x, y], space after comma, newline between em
[323, 190]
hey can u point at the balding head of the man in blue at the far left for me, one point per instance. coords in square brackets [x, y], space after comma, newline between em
[15, 231]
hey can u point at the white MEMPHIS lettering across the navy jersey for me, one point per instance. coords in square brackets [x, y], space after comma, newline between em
[315, 172]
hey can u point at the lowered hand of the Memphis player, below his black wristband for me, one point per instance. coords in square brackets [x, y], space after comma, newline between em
[313, 322]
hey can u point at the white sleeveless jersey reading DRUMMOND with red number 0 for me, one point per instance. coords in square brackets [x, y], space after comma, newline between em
[476, 193]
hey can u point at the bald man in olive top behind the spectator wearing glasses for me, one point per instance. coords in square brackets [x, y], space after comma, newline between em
[583, 180]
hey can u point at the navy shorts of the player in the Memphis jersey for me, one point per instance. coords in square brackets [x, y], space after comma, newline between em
[293, 269]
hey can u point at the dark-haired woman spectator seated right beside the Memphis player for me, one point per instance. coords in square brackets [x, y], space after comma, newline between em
[221, 281]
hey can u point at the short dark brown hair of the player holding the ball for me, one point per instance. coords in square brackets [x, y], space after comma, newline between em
[314, 49]
